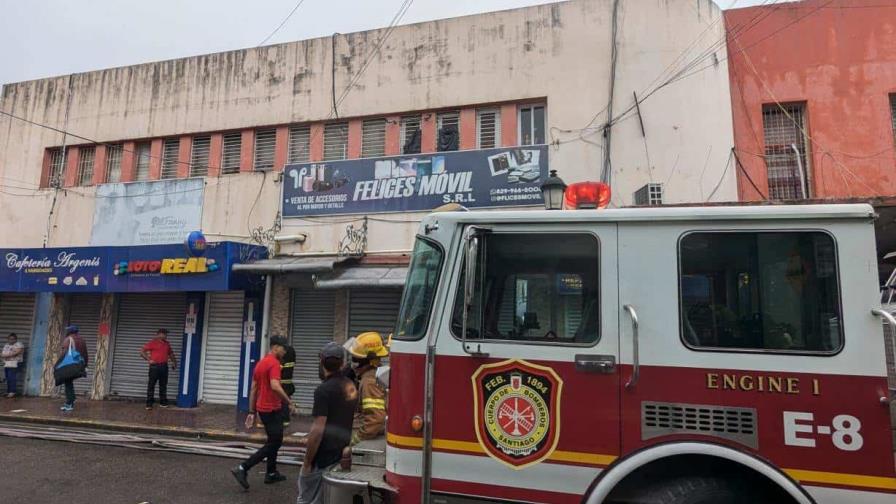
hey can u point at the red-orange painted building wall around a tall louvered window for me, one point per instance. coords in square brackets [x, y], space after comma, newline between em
[837, 58]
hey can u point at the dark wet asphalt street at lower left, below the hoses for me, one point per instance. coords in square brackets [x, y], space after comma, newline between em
[53, 472]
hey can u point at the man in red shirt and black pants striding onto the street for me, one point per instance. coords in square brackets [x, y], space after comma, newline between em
[266, 398]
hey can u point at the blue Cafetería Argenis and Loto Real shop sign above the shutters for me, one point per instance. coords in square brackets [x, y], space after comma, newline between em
[151, 268]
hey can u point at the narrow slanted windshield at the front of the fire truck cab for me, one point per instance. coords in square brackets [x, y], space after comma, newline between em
[419, 291]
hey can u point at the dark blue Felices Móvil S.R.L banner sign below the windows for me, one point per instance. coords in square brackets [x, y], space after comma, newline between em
[476, 178]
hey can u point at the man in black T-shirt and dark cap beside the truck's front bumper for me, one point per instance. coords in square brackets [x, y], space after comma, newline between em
[335, 400]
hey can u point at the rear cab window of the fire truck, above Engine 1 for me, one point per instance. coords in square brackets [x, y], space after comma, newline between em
[775, 291]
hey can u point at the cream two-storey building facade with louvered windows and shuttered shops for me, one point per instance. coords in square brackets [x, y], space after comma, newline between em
[327, 152]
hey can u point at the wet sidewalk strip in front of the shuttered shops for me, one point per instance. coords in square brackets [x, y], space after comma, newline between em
[209, 421]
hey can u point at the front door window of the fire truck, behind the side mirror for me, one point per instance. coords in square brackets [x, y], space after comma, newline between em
[534, 288]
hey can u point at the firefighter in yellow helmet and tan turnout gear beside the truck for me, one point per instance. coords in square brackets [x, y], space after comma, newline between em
[367, 349]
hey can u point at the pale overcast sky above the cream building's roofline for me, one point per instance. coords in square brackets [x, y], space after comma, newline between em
[42, 38]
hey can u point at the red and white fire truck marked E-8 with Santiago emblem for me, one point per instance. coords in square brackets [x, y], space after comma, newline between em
[669, 355]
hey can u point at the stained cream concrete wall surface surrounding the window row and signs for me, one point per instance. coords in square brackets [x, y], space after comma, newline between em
[558, 52]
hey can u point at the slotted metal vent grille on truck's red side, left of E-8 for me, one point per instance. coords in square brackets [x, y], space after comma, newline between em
[734, 424]
